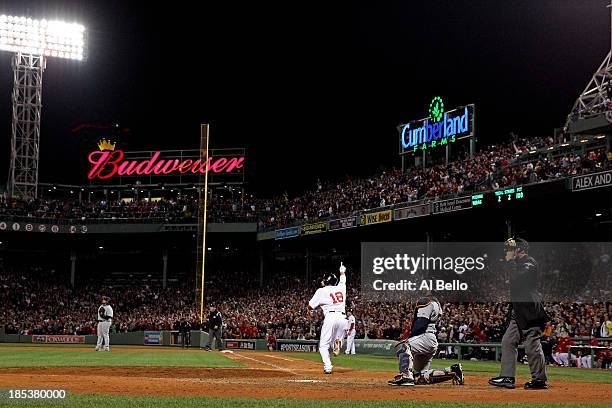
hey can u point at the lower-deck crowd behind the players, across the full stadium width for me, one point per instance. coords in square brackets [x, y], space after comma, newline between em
[39, 302]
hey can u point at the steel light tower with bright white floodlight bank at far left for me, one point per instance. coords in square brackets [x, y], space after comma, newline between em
[32, 41]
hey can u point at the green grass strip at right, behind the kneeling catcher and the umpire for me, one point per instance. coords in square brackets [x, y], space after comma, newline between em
[478, 368]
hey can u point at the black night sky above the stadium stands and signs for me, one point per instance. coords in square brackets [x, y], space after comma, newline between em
[311, 90]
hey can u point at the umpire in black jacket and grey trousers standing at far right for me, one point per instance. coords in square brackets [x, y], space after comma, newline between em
[527, 318]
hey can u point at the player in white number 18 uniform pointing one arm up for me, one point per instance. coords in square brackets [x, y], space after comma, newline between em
[331, 296]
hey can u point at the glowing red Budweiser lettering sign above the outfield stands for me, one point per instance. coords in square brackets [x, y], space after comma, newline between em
[107, 164]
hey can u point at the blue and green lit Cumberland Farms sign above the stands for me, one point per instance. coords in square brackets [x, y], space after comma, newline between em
[439, 129]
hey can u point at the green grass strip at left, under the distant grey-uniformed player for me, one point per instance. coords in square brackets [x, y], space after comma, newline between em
[15, 357]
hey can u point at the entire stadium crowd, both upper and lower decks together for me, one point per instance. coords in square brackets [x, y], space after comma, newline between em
[34, 301]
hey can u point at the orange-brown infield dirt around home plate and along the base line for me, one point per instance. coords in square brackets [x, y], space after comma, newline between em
[275, 375]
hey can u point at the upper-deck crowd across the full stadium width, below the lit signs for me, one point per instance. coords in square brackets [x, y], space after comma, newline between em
[492, 168]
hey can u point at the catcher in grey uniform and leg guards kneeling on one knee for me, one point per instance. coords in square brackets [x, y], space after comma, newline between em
[415, 352]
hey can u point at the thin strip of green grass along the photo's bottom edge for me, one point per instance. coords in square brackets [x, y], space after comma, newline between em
[80, 400]
